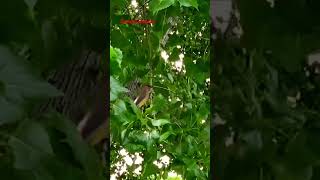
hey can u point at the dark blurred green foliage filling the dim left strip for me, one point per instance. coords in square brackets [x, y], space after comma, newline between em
[38, 37]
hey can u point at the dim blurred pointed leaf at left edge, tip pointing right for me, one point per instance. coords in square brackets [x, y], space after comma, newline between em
[19, 85]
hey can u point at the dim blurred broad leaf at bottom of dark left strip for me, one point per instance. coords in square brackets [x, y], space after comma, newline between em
[33, 152]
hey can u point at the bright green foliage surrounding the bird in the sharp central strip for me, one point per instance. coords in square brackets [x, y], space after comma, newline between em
[175, 123]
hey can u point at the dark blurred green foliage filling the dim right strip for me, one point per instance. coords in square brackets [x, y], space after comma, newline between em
[263, 93]
